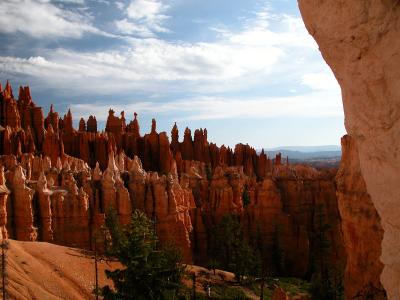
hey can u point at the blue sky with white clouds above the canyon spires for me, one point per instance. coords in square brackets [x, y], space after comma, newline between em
[248, 71]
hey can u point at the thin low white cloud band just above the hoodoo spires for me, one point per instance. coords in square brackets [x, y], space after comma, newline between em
[309, 105]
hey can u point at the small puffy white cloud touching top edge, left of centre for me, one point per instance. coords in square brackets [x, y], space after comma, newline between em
[145, 18]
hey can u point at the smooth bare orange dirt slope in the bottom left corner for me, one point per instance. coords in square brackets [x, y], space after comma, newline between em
[39, 270]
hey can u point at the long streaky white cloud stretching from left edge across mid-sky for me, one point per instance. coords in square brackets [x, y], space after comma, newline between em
[148, 62]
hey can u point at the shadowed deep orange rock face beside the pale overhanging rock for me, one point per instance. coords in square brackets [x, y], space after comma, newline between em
[362, 232]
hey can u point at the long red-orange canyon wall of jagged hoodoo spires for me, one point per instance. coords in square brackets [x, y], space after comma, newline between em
[59, 182]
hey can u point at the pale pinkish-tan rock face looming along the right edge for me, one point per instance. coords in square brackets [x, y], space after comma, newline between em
[363, 54]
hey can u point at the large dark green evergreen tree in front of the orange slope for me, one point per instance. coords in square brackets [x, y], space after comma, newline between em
[147, 273]
